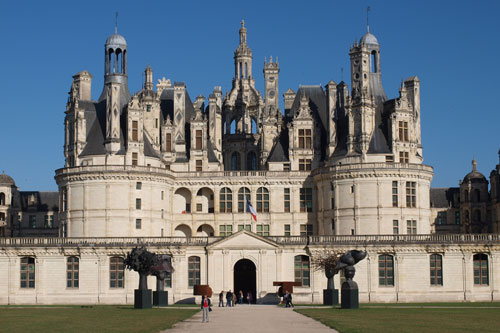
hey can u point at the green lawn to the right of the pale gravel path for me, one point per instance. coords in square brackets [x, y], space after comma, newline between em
[388, 318]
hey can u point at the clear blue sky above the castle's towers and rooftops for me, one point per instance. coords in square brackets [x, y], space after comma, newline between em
[452, 46]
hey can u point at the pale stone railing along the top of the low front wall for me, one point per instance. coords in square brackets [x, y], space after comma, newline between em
[282, 240]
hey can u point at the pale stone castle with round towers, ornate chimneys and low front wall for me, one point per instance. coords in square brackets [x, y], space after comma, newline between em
[337, 169]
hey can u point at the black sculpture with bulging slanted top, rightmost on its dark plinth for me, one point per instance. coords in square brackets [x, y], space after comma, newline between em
[350, 292]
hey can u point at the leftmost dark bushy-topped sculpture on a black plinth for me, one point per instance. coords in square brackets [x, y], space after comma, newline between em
[141, 261]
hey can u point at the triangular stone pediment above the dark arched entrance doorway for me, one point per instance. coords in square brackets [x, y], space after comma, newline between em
[243, 240]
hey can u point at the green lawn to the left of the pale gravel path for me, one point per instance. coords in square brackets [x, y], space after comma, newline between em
[89, 319]
